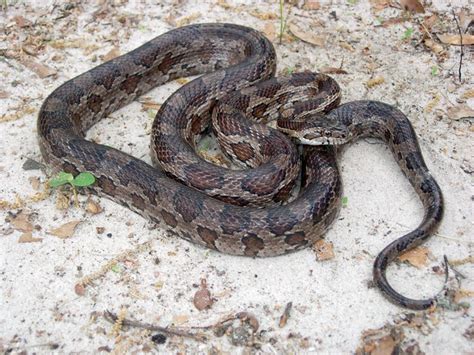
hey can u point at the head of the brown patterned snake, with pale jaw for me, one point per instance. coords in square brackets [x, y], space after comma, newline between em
[315, 129]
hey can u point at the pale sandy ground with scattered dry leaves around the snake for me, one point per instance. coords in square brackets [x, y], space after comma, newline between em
[130, 267]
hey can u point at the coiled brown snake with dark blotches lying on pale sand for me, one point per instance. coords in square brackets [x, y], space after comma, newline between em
[254, 214]
